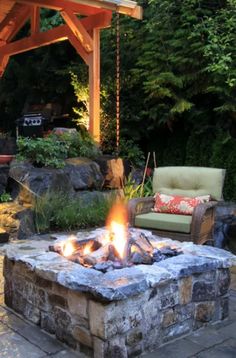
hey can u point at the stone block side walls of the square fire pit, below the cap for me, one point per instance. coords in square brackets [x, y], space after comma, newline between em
[125, 328]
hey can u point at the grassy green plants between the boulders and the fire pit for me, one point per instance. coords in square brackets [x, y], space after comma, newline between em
[60, 212]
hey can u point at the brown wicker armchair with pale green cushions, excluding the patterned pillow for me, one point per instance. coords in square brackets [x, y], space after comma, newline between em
[187, 181]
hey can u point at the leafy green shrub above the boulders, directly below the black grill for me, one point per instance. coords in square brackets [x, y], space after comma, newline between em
[42, 151]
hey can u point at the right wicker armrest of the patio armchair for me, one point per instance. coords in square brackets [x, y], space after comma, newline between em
[202, 213]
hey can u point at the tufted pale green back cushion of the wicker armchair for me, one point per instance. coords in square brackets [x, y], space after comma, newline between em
[189, 181]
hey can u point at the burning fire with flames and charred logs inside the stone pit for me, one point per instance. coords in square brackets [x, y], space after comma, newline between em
[119, 247]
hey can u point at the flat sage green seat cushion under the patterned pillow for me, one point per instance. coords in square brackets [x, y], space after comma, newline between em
[168, 222]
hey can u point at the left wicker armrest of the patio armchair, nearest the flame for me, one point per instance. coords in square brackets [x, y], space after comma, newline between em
[139, 206]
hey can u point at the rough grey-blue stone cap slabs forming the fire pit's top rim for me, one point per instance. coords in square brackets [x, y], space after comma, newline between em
[121, 283]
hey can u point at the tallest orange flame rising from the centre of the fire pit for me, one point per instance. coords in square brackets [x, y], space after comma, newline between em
[117, 227]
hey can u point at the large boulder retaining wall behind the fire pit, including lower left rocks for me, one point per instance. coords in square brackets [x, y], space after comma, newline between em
[80, 177]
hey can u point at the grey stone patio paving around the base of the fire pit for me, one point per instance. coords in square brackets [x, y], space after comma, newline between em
[20, 339]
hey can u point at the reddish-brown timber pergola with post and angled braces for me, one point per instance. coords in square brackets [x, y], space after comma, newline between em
[83, 33]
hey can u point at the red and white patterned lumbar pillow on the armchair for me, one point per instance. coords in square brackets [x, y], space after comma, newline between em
[176, 204]
